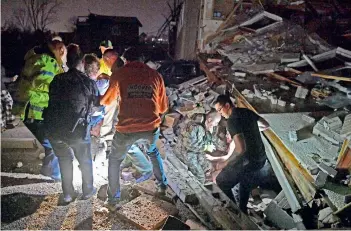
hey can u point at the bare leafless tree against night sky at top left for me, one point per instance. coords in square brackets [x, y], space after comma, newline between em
[37, 13]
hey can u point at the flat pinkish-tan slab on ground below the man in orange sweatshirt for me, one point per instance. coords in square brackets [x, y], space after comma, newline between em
[147, 213]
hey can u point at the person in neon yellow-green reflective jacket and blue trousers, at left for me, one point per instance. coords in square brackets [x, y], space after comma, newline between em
[42, 64]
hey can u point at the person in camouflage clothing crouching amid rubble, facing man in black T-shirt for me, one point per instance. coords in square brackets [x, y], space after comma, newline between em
[196, 138]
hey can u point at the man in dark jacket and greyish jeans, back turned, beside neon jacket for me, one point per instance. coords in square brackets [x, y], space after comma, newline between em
[73, 98]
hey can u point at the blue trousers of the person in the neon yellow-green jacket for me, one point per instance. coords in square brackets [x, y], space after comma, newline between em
[50, 162]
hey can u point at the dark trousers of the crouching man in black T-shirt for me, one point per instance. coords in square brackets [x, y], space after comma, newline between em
[249, 177]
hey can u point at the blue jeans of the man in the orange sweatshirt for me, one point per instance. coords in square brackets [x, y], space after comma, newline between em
[121, 143]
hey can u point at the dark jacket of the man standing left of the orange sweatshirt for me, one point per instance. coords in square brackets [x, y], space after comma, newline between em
[73, 97]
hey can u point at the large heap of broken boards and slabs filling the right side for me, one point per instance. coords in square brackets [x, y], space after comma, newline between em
[295, 80]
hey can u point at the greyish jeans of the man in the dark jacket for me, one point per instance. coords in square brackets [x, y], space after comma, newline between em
[65, 151]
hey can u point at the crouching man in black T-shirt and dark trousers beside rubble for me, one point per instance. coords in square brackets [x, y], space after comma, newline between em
[245, 162]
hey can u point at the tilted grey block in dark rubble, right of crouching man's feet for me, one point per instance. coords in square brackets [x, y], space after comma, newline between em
[279, 217]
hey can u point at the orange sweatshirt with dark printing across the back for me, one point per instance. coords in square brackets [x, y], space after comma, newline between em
[142, 97]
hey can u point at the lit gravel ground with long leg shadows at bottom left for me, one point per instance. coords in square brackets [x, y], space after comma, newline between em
[35, 202]
